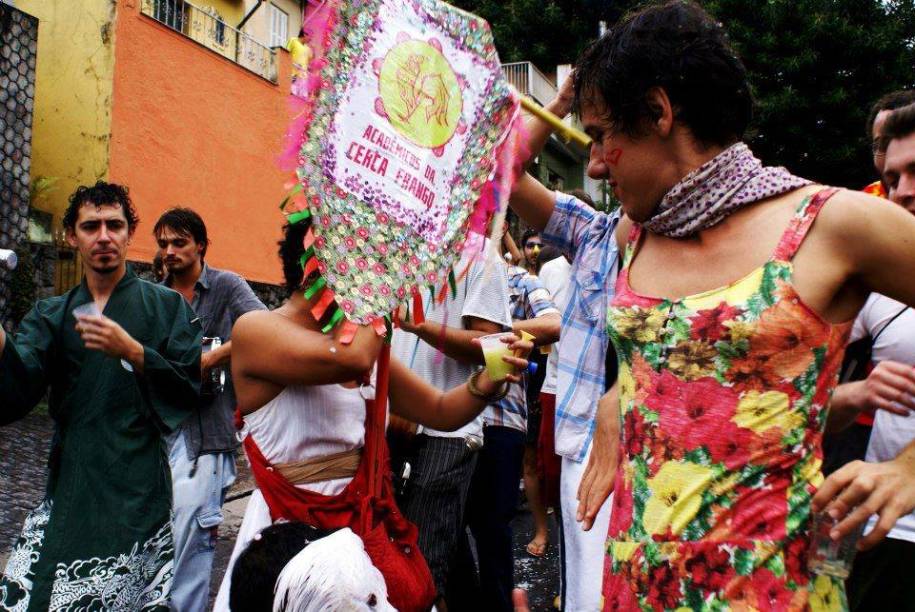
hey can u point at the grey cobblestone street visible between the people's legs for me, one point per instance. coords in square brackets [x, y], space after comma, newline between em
[23, 453]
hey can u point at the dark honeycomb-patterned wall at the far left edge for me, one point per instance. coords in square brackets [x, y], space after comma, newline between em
[18, 53]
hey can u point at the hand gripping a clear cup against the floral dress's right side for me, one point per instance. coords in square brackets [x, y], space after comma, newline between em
[858, 490]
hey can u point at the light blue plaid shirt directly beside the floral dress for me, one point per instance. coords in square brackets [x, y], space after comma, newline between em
[587, 237]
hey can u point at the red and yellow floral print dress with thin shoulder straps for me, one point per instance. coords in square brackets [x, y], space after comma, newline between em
[723, 399]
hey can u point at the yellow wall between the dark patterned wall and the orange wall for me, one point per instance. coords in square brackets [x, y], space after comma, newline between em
[74, 76]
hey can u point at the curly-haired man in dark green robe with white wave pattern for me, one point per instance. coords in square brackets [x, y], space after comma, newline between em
[119, 378]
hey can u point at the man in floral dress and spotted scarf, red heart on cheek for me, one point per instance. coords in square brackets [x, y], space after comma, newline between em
[738, 285]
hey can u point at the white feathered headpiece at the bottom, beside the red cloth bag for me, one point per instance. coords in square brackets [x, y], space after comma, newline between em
[332, 574]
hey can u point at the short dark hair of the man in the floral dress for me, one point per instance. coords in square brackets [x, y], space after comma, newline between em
[680, 48]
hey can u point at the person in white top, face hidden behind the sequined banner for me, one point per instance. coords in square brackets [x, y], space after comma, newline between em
[303, 395]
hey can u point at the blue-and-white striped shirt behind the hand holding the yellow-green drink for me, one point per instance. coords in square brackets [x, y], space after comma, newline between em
[529, 299]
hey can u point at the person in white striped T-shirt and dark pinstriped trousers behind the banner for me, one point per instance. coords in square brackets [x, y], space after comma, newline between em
[440, 349]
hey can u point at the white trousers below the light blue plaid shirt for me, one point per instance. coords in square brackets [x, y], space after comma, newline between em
[582, 551]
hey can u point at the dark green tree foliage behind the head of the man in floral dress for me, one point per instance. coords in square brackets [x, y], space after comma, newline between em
[816, 66]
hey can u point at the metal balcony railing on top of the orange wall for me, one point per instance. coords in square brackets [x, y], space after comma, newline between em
[210, 30]
